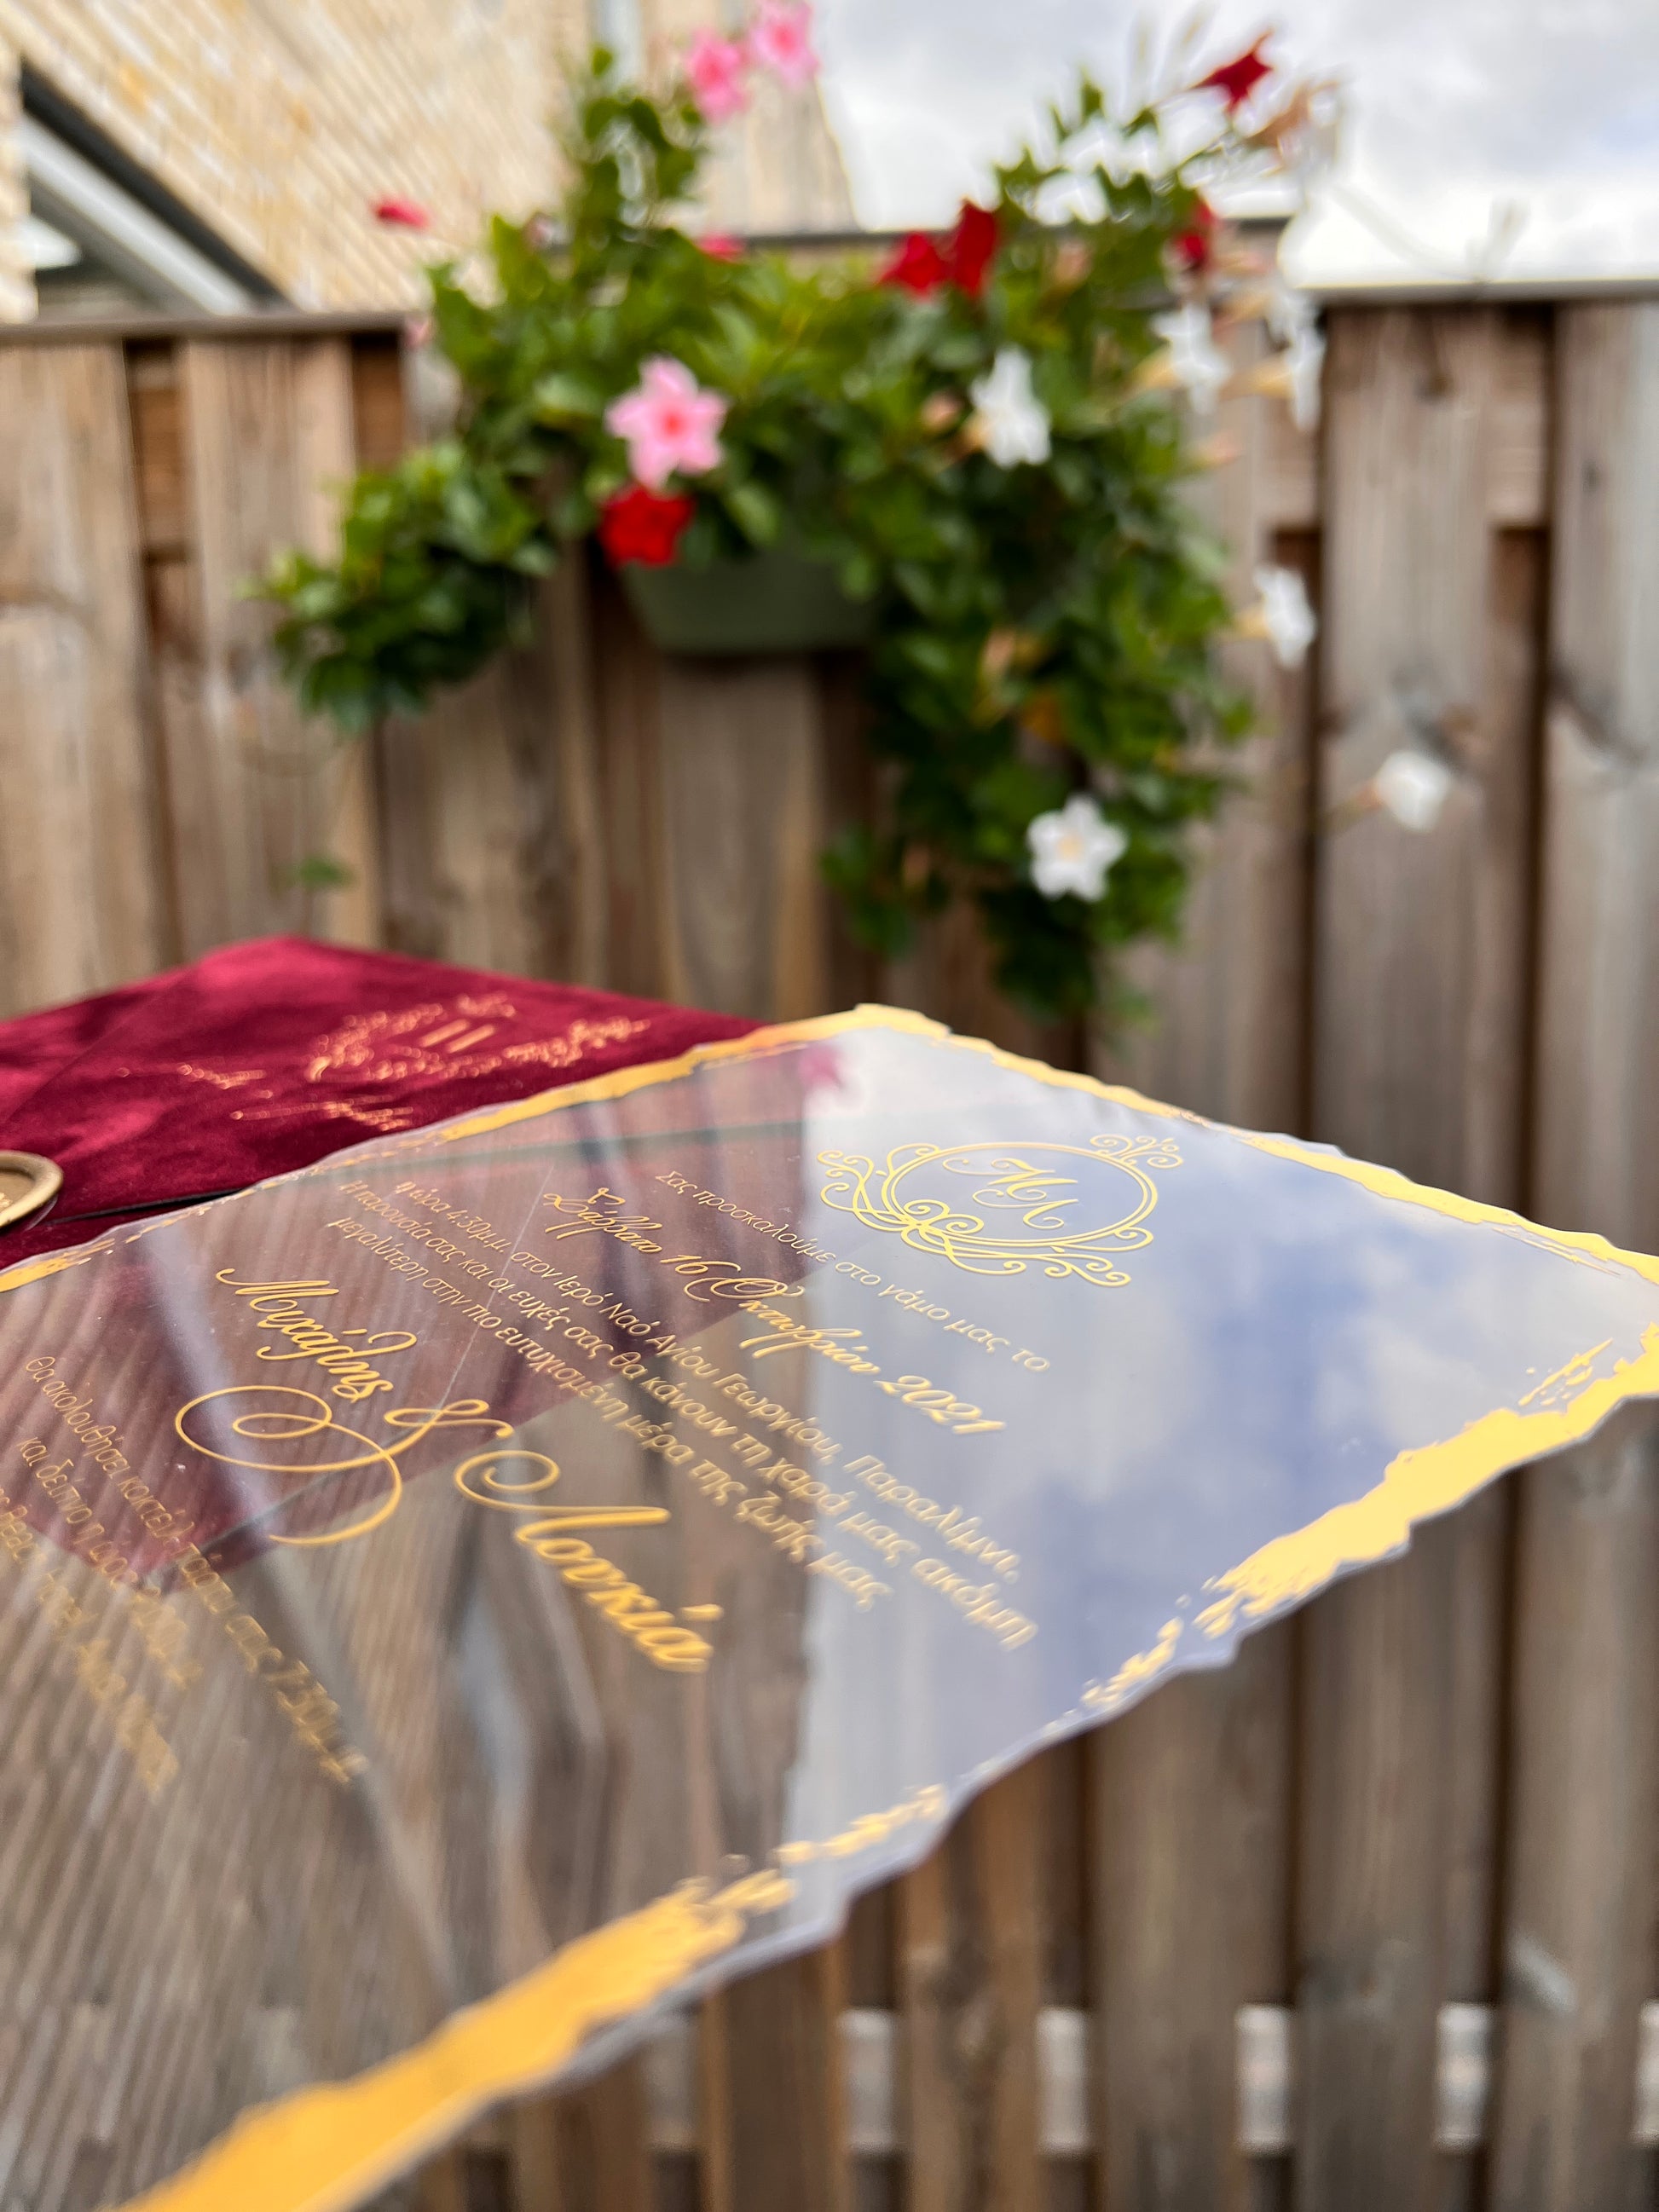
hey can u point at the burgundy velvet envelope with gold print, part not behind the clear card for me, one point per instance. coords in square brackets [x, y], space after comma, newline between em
[267, 1056]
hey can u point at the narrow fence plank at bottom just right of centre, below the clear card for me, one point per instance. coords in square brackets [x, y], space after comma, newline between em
[972, 1957]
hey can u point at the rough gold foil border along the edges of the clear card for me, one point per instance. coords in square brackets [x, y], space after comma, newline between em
[331, 2147]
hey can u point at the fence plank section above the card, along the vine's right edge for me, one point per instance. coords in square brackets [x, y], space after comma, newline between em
[1229, 1008]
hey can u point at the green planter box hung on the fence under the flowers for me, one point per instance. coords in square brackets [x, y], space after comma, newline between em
[771, 603]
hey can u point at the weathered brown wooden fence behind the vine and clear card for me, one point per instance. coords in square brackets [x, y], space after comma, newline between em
[1370, 1919]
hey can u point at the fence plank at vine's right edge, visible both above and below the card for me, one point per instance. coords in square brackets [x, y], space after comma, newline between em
[1191, 1793]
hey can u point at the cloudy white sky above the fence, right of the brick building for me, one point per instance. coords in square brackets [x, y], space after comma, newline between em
[1454, 114]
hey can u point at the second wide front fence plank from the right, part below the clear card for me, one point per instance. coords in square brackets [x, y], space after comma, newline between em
[1401, 1729]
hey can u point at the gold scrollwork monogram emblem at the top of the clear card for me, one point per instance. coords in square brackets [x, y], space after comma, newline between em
[1056, 1207]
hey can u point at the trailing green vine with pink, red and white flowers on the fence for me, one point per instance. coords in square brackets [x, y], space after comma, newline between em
[988, 439]
